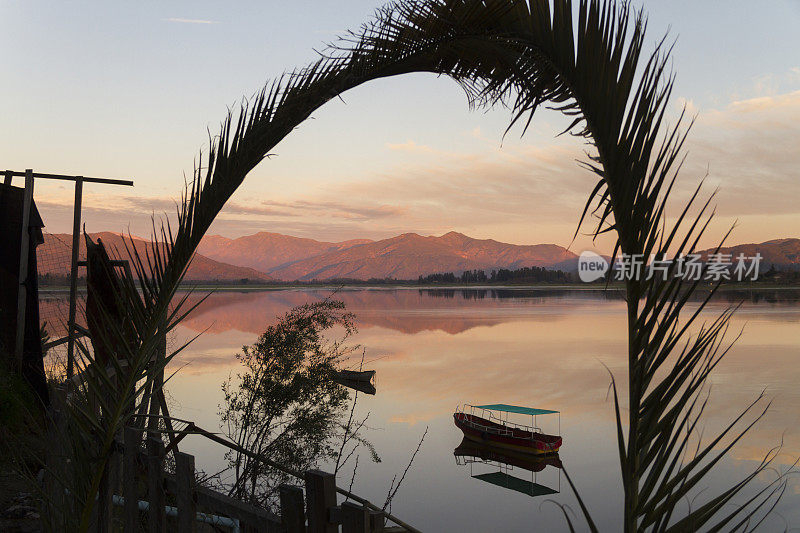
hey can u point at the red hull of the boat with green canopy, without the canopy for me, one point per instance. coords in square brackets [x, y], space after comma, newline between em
[484, 431]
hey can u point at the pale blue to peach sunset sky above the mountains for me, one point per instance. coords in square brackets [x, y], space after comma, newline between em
[132, 90]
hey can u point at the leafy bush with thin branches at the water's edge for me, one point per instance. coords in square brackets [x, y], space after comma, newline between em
[285, 405]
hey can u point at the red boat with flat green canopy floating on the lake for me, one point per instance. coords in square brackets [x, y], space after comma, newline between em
[480, 424]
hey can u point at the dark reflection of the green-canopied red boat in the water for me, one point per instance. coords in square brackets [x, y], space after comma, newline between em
[508, 469]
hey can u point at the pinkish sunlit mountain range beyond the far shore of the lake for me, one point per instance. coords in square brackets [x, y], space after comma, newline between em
[272, 256]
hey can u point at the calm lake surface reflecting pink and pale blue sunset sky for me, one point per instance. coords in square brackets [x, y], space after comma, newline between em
[553, 349]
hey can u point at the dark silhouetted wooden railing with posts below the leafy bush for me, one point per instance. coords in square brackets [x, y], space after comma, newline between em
[156, 501]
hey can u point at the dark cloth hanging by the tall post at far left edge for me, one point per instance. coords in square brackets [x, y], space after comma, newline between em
[11, 207]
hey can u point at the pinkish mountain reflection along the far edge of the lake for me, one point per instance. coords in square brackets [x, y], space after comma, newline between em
[416, 310]
